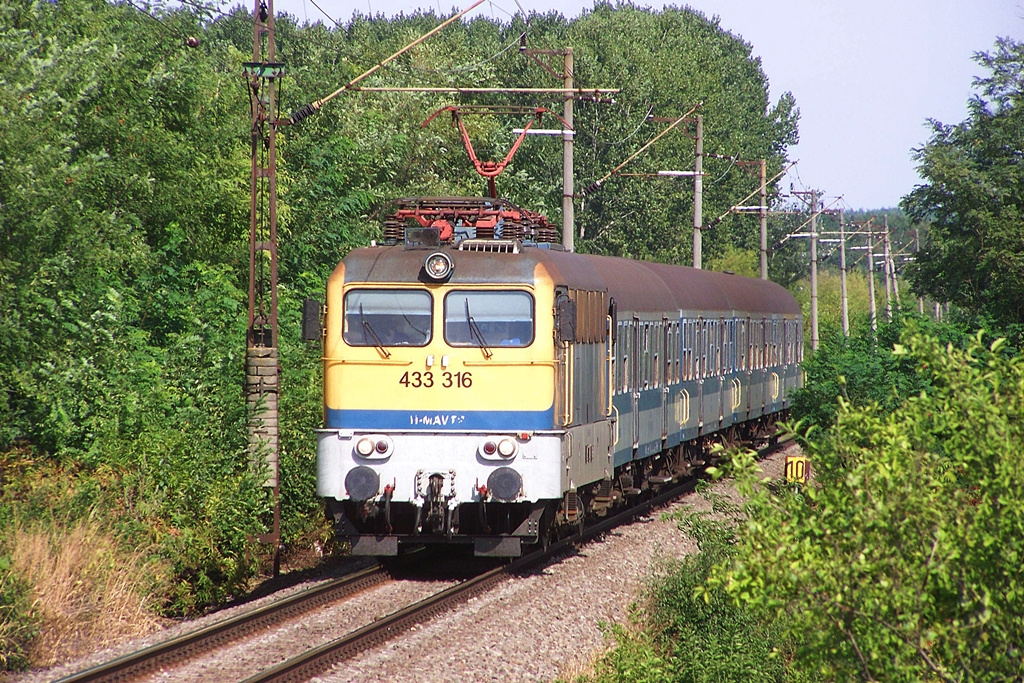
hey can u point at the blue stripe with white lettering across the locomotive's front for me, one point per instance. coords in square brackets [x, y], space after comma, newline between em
[461, 420]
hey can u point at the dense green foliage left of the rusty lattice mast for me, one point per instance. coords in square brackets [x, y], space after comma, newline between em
[124, 212]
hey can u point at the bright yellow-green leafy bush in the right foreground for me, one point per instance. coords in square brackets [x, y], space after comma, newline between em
[901, 562]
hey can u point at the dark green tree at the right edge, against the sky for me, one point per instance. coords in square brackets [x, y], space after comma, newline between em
[973, 197]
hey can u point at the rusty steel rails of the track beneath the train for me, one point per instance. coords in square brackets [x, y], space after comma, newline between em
[319, 660]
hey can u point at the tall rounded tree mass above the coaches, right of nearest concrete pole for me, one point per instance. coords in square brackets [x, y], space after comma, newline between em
[689, 60]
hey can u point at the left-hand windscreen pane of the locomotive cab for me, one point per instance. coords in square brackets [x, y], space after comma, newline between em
[388, 318]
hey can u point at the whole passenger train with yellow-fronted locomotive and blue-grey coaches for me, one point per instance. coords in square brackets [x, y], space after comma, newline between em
[486, 389]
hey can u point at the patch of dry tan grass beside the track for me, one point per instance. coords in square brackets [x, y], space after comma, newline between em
[89, 592]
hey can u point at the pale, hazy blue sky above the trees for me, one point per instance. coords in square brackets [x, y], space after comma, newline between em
[868, 75]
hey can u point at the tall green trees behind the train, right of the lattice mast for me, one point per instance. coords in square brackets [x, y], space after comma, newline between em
[688, 60]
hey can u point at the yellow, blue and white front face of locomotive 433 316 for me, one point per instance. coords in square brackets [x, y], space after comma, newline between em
[440, 373]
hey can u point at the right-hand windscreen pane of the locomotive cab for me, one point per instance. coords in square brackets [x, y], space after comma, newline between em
[489, 319]
